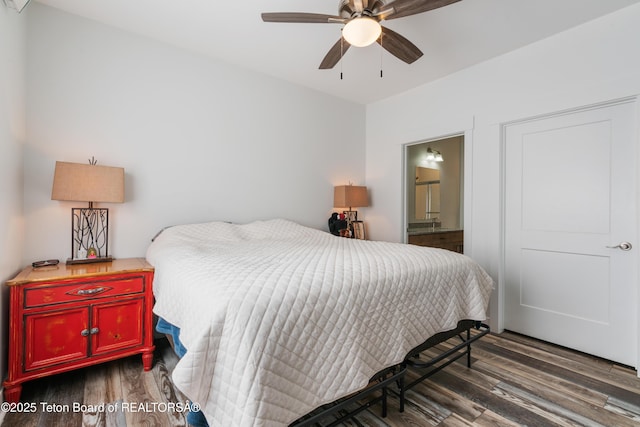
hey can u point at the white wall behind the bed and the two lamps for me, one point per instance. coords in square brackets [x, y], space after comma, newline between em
[199, 140]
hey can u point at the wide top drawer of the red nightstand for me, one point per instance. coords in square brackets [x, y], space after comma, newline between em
[47, 294]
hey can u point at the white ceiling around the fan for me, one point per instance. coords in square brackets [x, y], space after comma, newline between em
[452, 38]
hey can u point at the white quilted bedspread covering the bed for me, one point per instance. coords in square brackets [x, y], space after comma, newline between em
[279, 319]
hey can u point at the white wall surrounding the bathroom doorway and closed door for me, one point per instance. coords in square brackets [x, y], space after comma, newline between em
[595, 62]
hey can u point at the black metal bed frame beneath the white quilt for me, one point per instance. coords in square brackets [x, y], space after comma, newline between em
[396, 374]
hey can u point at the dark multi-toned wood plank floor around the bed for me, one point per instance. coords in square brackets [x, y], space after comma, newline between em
[514, 380]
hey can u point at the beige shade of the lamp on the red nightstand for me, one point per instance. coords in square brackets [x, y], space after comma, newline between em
[88, 183]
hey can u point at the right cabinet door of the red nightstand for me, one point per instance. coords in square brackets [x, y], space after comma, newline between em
[117, 325]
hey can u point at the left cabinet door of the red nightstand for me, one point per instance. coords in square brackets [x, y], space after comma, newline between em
[55, 337]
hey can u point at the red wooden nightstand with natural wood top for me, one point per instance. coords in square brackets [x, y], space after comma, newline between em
[72, 316]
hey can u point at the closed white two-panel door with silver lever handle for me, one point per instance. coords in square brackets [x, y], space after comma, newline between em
[570, 210]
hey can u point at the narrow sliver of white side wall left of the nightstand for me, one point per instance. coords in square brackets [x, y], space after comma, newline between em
[12, 134]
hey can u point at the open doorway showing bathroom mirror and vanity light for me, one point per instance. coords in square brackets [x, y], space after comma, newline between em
[434, 193]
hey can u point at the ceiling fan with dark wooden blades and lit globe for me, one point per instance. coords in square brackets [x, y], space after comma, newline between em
[361, 19]
